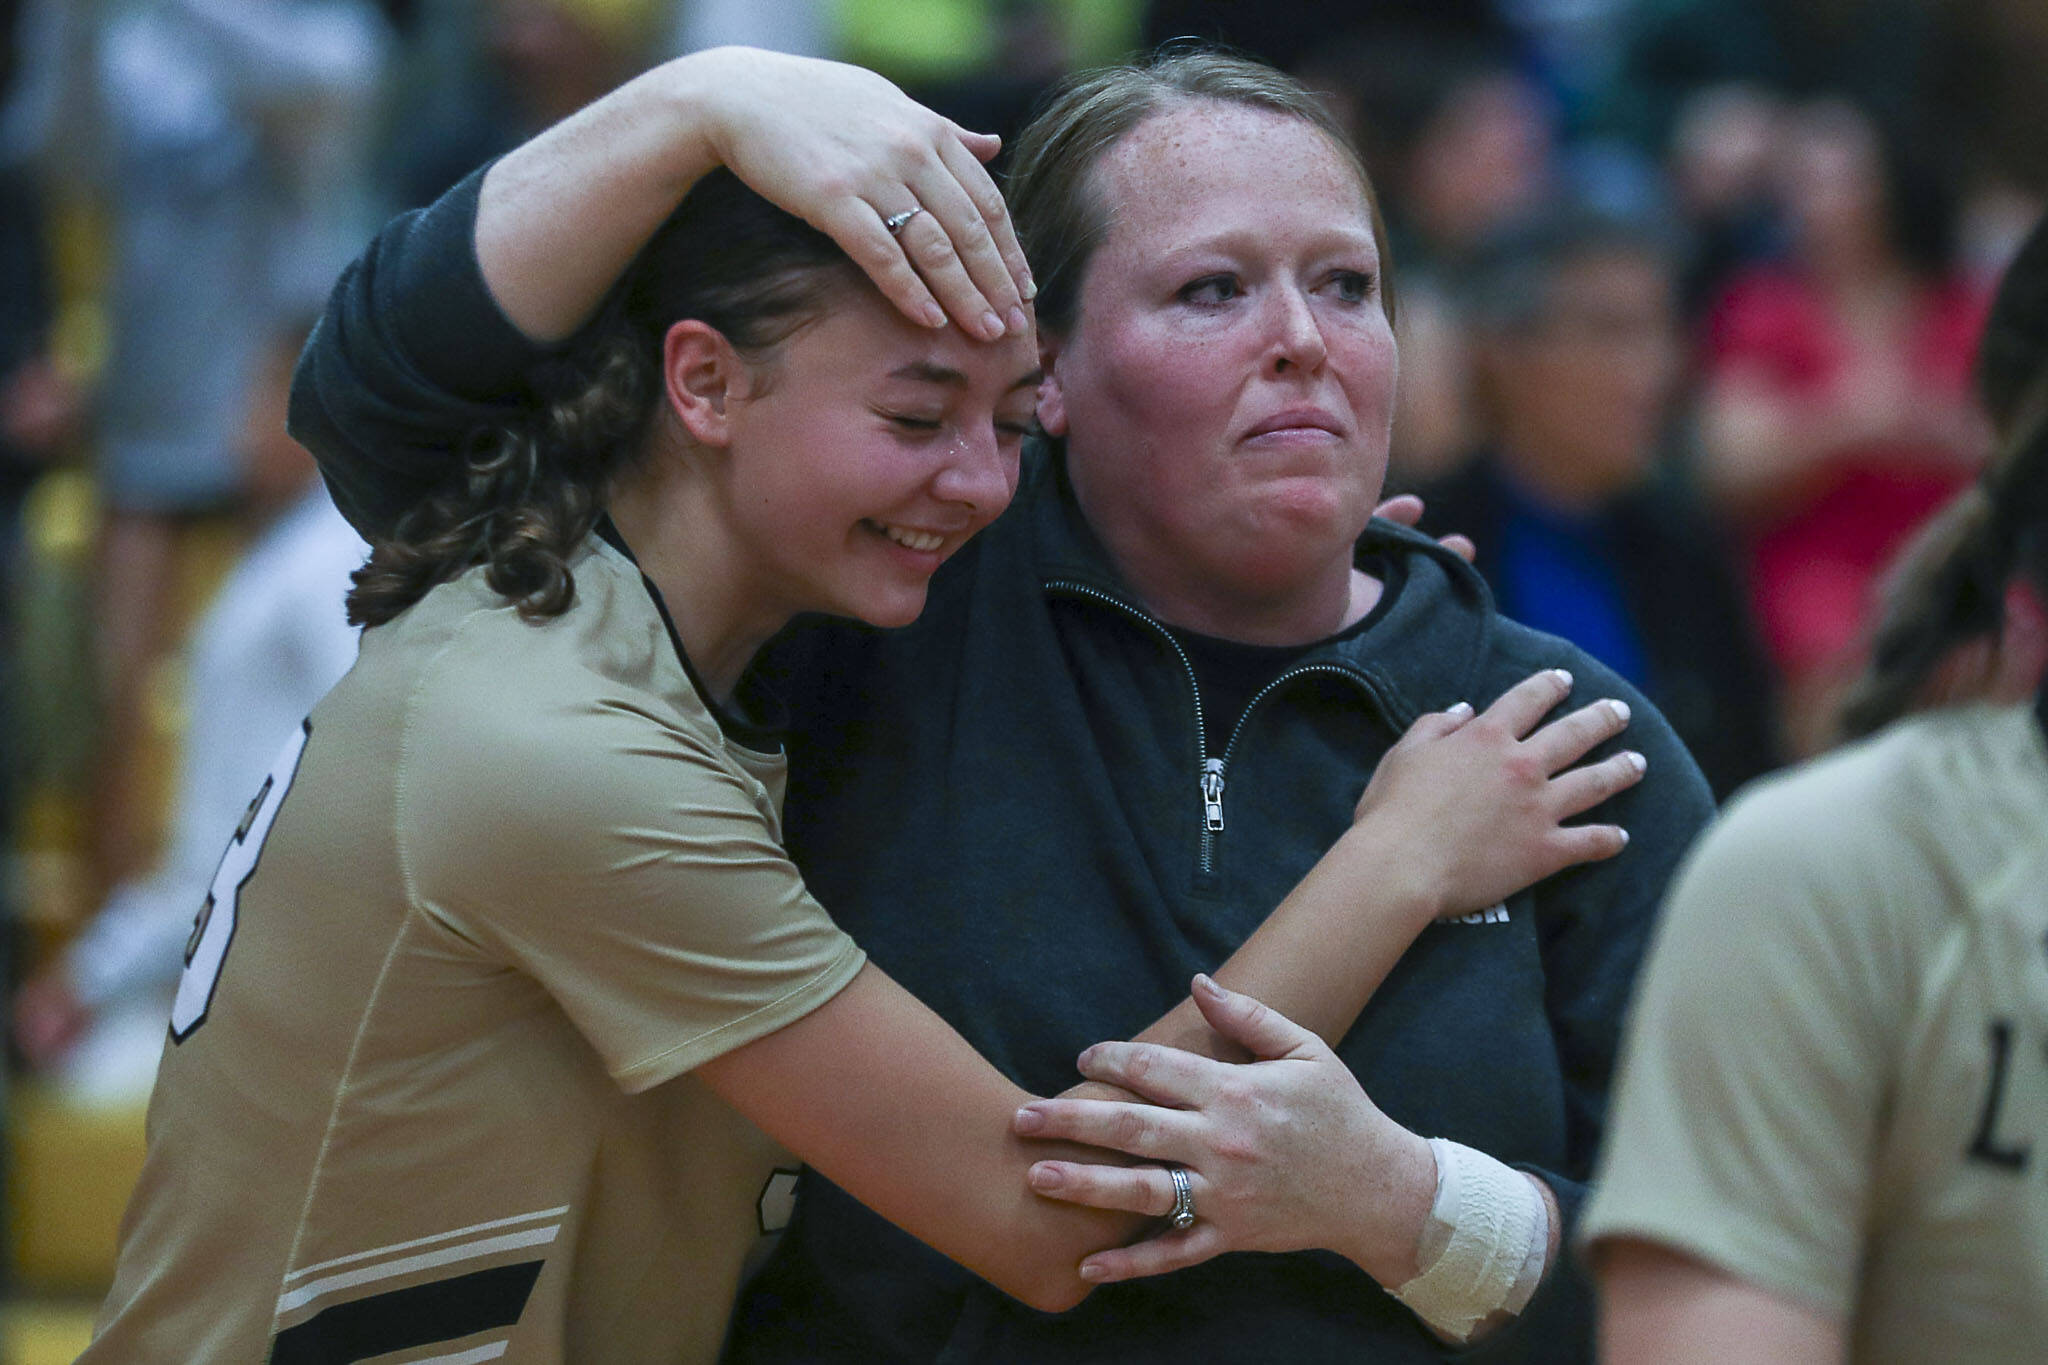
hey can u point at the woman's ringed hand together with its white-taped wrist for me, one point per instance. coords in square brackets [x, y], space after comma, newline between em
[1289, 1153]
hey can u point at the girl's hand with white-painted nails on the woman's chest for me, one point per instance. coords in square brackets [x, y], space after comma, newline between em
[1482, 801]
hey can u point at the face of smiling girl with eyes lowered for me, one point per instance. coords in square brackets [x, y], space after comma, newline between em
[865, 453]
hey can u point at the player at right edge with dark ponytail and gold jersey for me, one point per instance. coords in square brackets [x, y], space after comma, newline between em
[1830, 1129]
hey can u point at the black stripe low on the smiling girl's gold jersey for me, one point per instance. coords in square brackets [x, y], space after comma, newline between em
[415, 1317]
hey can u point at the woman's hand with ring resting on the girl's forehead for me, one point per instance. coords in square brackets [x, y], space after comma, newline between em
[845, 150]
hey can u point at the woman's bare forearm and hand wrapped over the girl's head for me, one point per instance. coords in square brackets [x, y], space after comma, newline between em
[562, 218]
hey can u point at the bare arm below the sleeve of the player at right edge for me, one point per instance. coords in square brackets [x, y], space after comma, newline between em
[1658, 1305]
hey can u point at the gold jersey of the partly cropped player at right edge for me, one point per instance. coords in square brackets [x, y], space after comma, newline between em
[1836, 1082]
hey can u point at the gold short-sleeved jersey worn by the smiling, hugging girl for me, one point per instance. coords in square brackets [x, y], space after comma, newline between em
[425, 1096]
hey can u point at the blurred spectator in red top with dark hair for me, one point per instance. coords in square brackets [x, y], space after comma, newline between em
[1838, 412]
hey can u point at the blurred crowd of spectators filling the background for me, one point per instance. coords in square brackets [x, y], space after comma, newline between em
[1687, 296]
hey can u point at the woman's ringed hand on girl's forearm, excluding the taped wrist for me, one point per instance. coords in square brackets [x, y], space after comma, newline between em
[1283, 1153]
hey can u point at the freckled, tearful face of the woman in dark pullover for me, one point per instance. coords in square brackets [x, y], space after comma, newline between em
[1228, 386]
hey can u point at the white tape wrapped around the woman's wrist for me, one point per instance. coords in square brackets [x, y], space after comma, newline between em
[1484, 1247]
